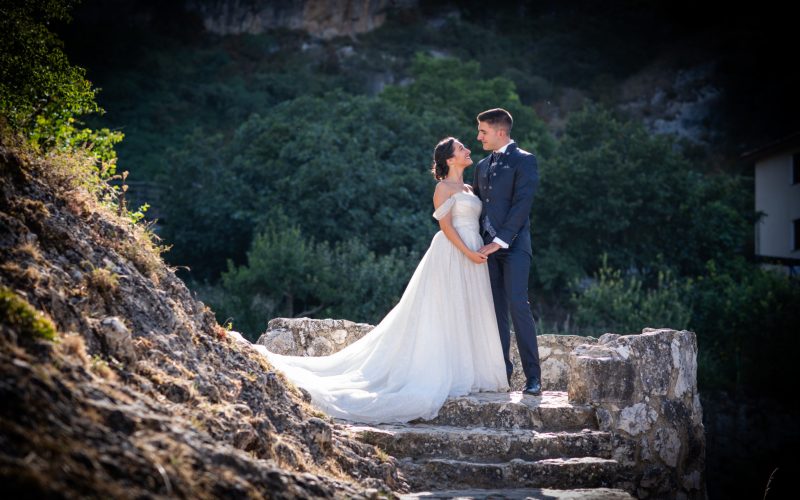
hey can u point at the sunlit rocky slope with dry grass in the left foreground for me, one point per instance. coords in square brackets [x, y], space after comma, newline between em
[115, 382]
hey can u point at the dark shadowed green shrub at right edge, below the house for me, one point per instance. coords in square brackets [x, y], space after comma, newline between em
[746, 321]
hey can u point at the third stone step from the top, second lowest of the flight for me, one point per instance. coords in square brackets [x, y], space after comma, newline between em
[559, 473]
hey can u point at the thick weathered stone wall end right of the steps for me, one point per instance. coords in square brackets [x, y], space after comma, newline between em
[644, 390]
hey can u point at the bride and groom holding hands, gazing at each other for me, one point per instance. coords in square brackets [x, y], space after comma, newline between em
[449, 333]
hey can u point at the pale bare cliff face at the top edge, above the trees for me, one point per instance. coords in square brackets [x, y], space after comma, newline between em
[320, 18]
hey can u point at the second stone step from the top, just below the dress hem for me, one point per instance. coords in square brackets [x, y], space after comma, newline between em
[483, 444]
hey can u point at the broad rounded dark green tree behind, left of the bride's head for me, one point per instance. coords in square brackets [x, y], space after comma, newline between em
[338, 166]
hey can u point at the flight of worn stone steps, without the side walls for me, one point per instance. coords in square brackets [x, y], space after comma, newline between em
[503, 445]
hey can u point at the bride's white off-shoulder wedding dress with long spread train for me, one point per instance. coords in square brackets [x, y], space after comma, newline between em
[439, 340]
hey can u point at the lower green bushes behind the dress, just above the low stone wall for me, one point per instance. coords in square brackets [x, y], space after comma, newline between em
[290, 274]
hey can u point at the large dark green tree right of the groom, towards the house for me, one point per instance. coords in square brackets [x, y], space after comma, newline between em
[613, 188]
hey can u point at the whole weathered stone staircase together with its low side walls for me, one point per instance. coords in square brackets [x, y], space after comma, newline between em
[620, 416]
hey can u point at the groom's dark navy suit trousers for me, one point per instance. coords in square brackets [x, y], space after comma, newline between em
[508, 273]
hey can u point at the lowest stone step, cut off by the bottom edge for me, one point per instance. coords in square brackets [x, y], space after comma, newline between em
[522, 493]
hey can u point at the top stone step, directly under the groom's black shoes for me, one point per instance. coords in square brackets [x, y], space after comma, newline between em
[549, 412]
